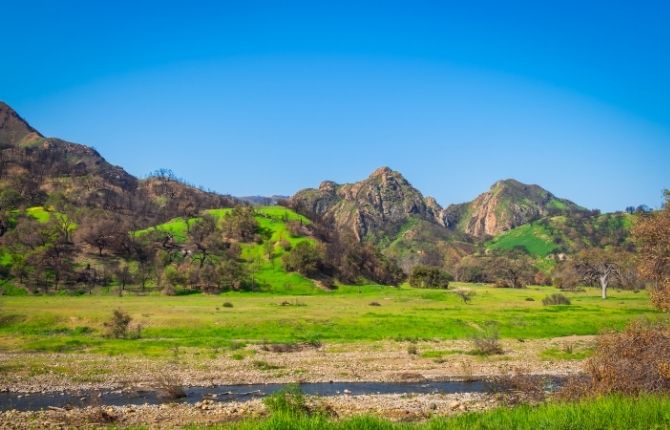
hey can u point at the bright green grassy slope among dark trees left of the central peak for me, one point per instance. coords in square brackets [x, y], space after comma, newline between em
[267, 272]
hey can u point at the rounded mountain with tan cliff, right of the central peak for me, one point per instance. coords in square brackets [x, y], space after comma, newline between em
[507, 204]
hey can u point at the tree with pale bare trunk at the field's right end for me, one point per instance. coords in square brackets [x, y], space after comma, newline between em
[599, 266]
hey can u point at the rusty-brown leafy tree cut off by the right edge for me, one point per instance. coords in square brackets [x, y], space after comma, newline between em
[652, 235]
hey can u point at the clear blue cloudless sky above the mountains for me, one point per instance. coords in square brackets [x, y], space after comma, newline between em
[265, 98]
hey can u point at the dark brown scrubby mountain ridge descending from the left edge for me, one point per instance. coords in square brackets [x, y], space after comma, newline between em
[35, 169]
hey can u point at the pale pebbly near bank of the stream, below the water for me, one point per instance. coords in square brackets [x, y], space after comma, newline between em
[399, 407]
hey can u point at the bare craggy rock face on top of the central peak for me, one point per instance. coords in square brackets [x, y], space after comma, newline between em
[373, 208]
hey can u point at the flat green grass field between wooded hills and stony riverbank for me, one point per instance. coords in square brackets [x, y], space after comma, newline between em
[63, 323]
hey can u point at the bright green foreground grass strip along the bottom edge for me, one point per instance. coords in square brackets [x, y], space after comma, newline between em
[613, 412]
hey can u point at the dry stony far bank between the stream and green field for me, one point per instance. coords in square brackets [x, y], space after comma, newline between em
[387, 361]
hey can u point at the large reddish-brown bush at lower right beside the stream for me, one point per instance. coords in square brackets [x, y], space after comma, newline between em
[632, 362]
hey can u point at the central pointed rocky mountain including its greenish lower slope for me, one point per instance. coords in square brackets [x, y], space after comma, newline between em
[387, 210]
